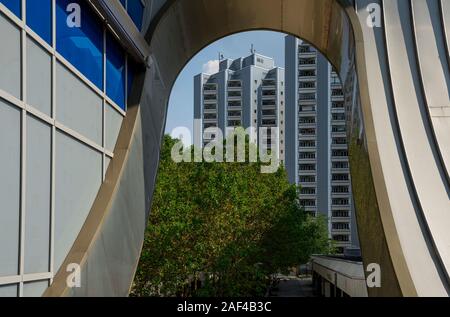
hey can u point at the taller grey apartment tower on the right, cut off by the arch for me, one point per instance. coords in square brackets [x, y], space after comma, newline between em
[316, 140]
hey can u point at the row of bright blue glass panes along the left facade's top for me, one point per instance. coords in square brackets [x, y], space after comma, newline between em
[83, 41]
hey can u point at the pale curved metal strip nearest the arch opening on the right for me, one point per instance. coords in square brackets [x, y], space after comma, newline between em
[400, 200]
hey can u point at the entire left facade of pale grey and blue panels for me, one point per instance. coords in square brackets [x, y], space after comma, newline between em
[63, 95]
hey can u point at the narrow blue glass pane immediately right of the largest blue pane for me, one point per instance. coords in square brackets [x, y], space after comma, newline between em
[115, 71]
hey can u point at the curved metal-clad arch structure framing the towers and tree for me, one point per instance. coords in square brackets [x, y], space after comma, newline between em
[396, 73]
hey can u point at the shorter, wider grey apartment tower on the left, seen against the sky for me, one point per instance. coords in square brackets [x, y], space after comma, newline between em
[245, 92]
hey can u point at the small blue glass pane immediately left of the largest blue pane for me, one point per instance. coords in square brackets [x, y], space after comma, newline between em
[39, 18]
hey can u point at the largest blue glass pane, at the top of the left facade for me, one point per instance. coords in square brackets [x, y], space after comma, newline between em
[79, 38]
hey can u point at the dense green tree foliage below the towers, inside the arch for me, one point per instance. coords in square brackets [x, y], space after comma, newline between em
[226, 224]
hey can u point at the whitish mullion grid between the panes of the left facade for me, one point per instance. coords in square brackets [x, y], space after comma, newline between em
[25, 32]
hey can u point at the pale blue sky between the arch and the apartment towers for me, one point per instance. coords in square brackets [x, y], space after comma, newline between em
[181, 108]
